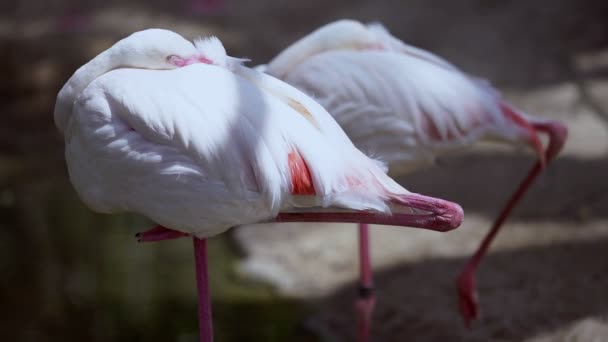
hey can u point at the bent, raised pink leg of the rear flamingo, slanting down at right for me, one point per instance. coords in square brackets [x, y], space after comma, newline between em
[467, 292]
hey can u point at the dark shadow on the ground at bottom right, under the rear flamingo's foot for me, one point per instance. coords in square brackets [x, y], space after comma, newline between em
[523, 293]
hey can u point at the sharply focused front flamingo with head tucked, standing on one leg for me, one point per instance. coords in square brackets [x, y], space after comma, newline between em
[187, 136]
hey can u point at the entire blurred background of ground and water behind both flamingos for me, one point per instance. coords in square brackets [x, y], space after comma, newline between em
[68, 274]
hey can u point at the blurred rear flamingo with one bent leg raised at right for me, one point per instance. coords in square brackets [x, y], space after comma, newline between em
[407, 106]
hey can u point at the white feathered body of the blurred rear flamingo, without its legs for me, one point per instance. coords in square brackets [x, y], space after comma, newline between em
[400, 102]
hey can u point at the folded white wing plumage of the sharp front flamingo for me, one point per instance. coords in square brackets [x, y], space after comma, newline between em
[177, 145]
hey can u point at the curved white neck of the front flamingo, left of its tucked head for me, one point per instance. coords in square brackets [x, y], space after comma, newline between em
[98, 66]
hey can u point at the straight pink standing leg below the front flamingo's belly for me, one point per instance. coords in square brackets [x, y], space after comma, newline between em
[202, 285]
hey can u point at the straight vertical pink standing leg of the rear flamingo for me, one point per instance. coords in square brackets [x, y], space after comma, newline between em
[367, 300]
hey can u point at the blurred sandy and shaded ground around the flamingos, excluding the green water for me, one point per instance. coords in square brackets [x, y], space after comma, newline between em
[547, 275]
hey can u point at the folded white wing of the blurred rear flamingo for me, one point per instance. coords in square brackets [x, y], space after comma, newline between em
[399, 107]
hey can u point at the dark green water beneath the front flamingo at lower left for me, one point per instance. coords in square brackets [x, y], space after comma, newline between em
[69, 274]
